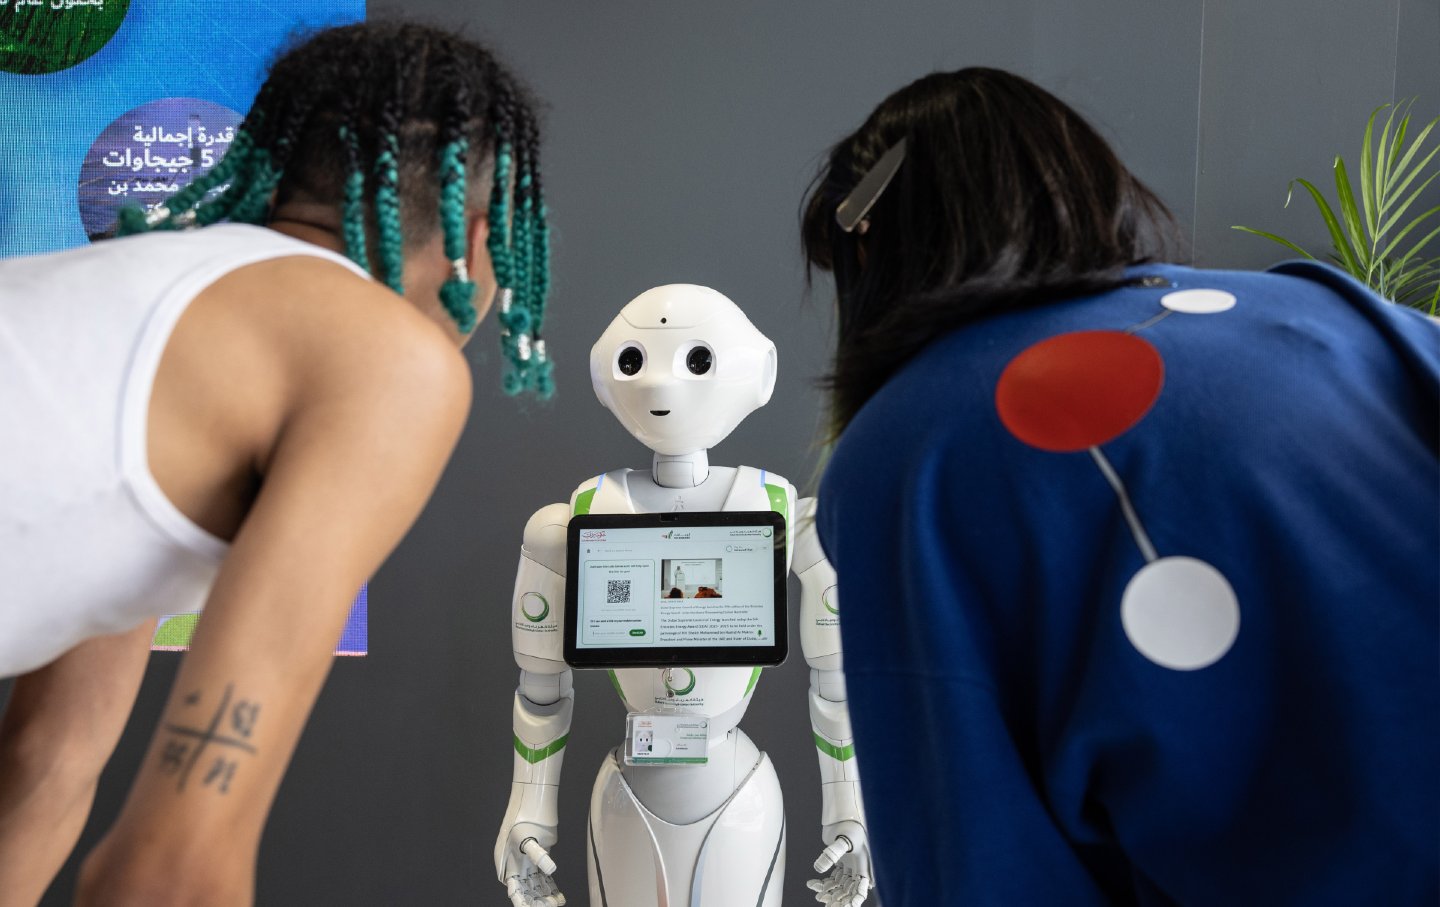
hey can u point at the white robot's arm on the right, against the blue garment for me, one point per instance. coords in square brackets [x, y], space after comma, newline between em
[843, 816]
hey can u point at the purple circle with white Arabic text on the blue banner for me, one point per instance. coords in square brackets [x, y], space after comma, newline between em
[149, 155]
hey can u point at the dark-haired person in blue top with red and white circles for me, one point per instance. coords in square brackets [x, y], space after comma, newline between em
[1138, 559]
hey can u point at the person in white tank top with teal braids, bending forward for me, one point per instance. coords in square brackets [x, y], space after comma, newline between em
[240, 417]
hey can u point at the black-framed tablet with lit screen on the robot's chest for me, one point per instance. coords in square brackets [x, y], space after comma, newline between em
[695, 590]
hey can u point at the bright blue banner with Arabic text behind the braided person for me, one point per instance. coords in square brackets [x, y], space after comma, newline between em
[110, 103]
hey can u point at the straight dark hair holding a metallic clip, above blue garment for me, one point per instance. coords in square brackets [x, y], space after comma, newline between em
[1007, 198]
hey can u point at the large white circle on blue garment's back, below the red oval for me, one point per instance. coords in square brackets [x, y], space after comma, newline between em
[1182, 614]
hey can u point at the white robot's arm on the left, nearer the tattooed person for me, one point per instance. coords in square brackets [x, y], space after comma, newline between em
[545, 703]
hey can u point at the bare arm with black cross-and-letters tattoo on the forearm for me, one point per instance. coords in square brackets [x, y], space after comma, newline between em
[372, 412]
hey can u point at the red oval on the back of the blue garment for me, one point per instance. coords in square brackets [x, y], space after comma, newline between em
[1079, 391]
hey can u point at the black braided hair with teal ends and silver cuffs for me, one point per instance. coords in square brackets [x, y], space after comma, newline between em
[391, 123]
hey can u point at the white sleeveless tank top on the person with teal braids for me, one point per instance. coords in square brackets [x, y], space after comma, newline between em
[89, 542]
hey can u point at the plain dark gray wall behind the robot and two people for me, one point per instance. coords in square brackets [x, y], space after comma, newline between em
[680, 140]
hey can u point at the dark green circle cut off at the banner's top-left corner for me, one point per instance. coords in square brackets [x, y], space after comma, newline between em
[42, 37]
